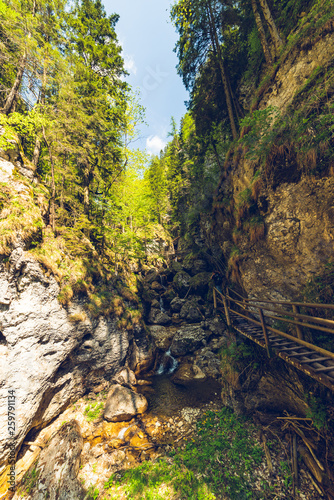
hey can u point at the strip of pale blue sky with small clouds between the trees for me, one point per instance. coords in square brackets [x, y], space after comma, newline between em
[148, 38]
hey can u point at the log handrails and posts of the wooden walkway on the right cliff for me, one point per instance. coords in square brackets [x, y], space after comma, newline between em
[264, 314]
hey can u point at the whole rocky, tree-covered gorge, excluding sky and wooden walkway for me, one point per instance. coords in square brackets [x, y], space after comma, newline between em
[120, 376]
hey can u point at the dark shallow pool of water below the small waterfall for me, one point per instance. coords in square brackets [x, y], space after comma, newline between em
[166, 398]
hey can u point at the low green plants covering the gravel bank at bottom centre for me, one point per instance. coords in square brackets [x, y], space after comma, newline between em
[220, 458]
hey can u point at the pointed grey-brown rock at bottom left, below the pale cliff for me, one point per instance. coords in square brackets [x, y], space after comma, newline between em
[58, 467]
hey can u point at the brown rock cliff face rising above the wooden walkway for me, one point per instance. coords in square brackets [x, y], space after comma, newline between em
[293, 226]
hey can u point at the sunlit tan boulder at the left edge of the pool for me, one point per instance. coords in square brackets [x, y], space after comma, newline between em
[123, 404]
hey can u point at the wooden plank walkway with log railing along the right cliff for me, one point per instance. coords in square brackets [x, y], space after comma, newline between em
[254, 323]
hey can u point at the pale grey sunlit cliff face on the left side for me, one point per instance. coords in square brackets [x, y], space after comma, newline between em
[48, 357]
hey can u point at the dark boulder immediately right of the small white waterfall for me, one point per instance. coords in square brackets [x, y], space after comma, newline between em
[188, 339]
